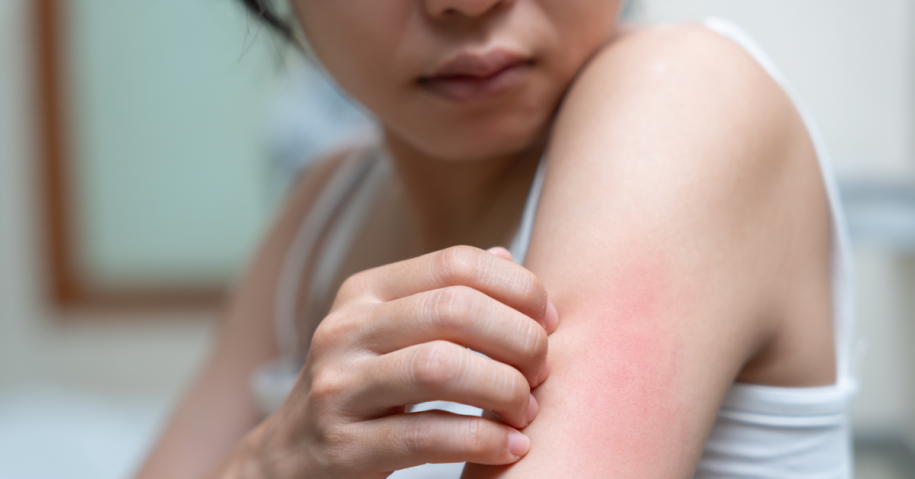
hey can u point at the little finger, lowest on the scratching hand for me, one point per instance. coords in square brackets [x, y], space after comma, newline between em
[407, 440]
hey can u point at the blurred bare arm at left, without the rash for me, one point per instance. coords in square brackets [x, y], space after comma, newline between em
[218, 409]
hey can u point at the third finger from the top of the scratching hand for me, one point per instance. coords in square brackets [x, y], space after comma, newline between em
[440, 370]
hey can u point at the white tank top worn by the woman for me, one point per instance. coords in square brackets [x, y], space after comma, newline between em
[761, 432]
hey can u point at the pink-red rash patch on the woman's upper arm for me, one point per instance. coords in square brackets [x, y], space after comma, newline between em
[626, 359]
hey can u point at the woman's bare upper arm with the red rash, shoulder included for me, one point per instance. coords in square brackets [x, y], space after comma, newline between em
[659, 240]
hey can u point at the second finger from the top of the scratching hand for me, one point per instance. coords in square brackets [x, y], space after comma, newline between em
[463, 316]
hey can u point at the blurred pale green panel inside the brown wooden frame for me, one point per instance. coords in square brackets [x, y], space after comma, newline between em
[169, 99]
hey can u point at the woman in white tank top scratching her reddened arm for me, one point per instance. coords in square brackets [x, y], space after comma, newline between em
[684, 233]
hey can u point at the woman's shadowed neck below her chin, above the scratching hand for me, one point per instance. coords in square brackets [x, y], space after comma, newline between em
[473, 202]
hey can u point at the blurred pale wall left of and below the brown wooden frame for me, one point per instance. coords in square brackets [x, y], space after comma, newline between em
[120, 353]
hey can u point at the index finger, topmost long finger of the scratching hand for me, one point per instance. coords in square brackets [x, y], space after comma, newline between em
[486, 272]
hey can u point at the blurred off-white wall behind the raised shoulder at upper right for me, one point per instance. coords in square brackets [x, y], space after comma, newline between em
[851, 61]
